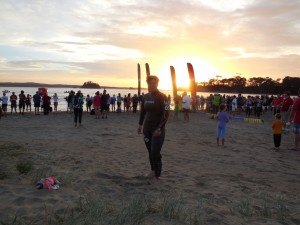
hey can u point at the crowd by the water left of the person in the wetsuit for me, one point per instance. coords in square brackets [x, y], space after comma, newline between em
[43, 102]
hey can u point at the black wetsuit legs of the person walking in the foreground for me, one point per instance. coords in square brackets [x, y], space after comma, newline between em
[154, 145]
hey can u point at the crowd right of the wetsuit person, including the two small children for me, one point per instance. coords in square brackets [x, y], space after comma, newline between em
[284, 108]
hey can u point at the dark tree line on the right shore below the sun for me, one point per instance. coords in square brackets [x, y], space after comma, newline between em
[254, 85]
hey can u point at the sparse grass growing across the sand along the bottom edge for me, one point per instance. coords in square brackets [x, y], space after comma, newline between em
[166, 207]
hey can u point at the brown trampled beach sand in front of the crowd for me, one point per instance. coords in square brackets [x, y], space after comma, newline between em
[102, 164]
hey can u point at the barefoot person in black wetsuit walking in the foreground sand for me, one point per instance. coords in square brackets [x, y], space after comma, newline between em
[153, 117]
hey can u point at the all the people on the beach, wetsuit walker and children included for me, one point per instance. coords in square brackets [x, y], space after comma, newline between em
[154, 112]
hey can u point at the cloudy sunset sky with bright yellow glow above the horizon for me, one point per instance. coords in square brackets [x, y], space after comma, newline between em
[73, 41]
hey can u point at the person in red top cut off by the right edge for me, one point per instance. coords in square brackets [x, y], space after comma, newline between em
[295, 118]
